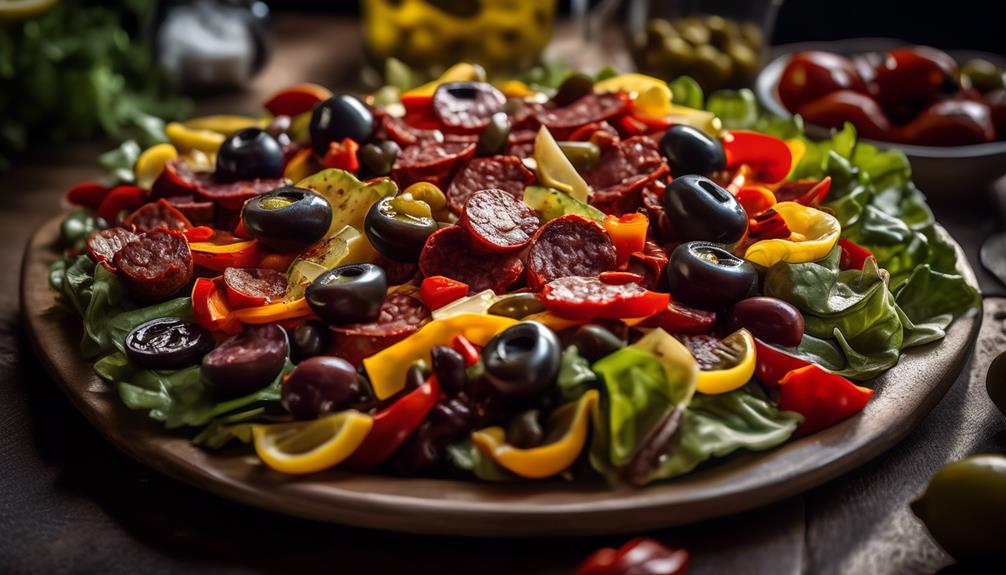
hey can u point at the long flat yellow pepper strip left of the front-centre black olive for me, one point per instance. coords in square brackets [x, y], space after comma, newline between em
[387, 369]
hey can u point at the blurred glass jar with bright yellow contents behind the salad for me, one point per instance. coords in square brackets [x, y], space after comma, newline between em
[502, 36]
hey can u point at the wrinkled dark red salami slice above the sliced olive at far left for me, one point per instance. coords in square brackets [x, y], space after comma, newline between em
[155, 266]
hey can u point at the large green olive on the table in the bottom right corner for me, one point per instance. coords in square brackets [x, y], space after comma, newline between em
[964, 508]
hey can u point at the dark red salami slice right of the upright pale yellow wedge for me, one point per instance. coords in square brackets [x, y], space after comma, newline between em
[626, 167]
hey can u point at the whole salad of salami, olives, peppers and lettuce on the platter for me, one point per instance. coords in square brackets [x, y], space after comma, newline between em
[611, 278]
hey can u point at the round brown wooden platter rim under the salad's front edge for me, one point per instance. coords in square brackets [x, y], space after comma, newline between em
[432, 506]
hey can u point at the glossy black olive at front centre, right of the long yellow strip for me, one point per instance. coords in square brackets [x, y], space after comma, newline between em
[523, 360]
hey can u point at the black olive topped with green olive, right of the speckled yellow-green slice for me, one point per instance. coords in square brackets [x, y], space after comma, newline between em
[398, 236]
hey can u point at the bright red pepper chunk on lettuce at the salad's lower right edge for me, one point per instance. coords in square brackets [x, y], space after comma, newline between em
[822, 398]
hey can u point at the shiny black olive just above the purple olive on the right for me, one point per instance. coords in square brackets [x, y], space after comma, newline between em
[707, 276]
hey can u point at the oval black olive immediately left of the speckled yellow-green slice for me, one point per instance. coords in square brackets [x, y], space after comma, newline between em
[288, 219]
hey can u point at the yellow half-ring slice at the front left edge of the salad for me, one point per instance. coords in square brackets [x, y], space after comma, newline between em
[310, 447]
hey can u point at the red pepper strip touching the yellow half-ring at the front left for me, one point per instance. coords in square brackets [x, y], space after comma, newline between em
[394, 425]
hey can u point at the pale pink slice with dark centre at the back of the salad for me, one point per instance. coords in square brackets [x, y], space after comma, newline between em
[466, 107]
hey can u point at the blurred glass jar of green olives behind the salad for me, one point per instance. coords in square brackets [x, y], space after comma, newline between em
[721, 44]
